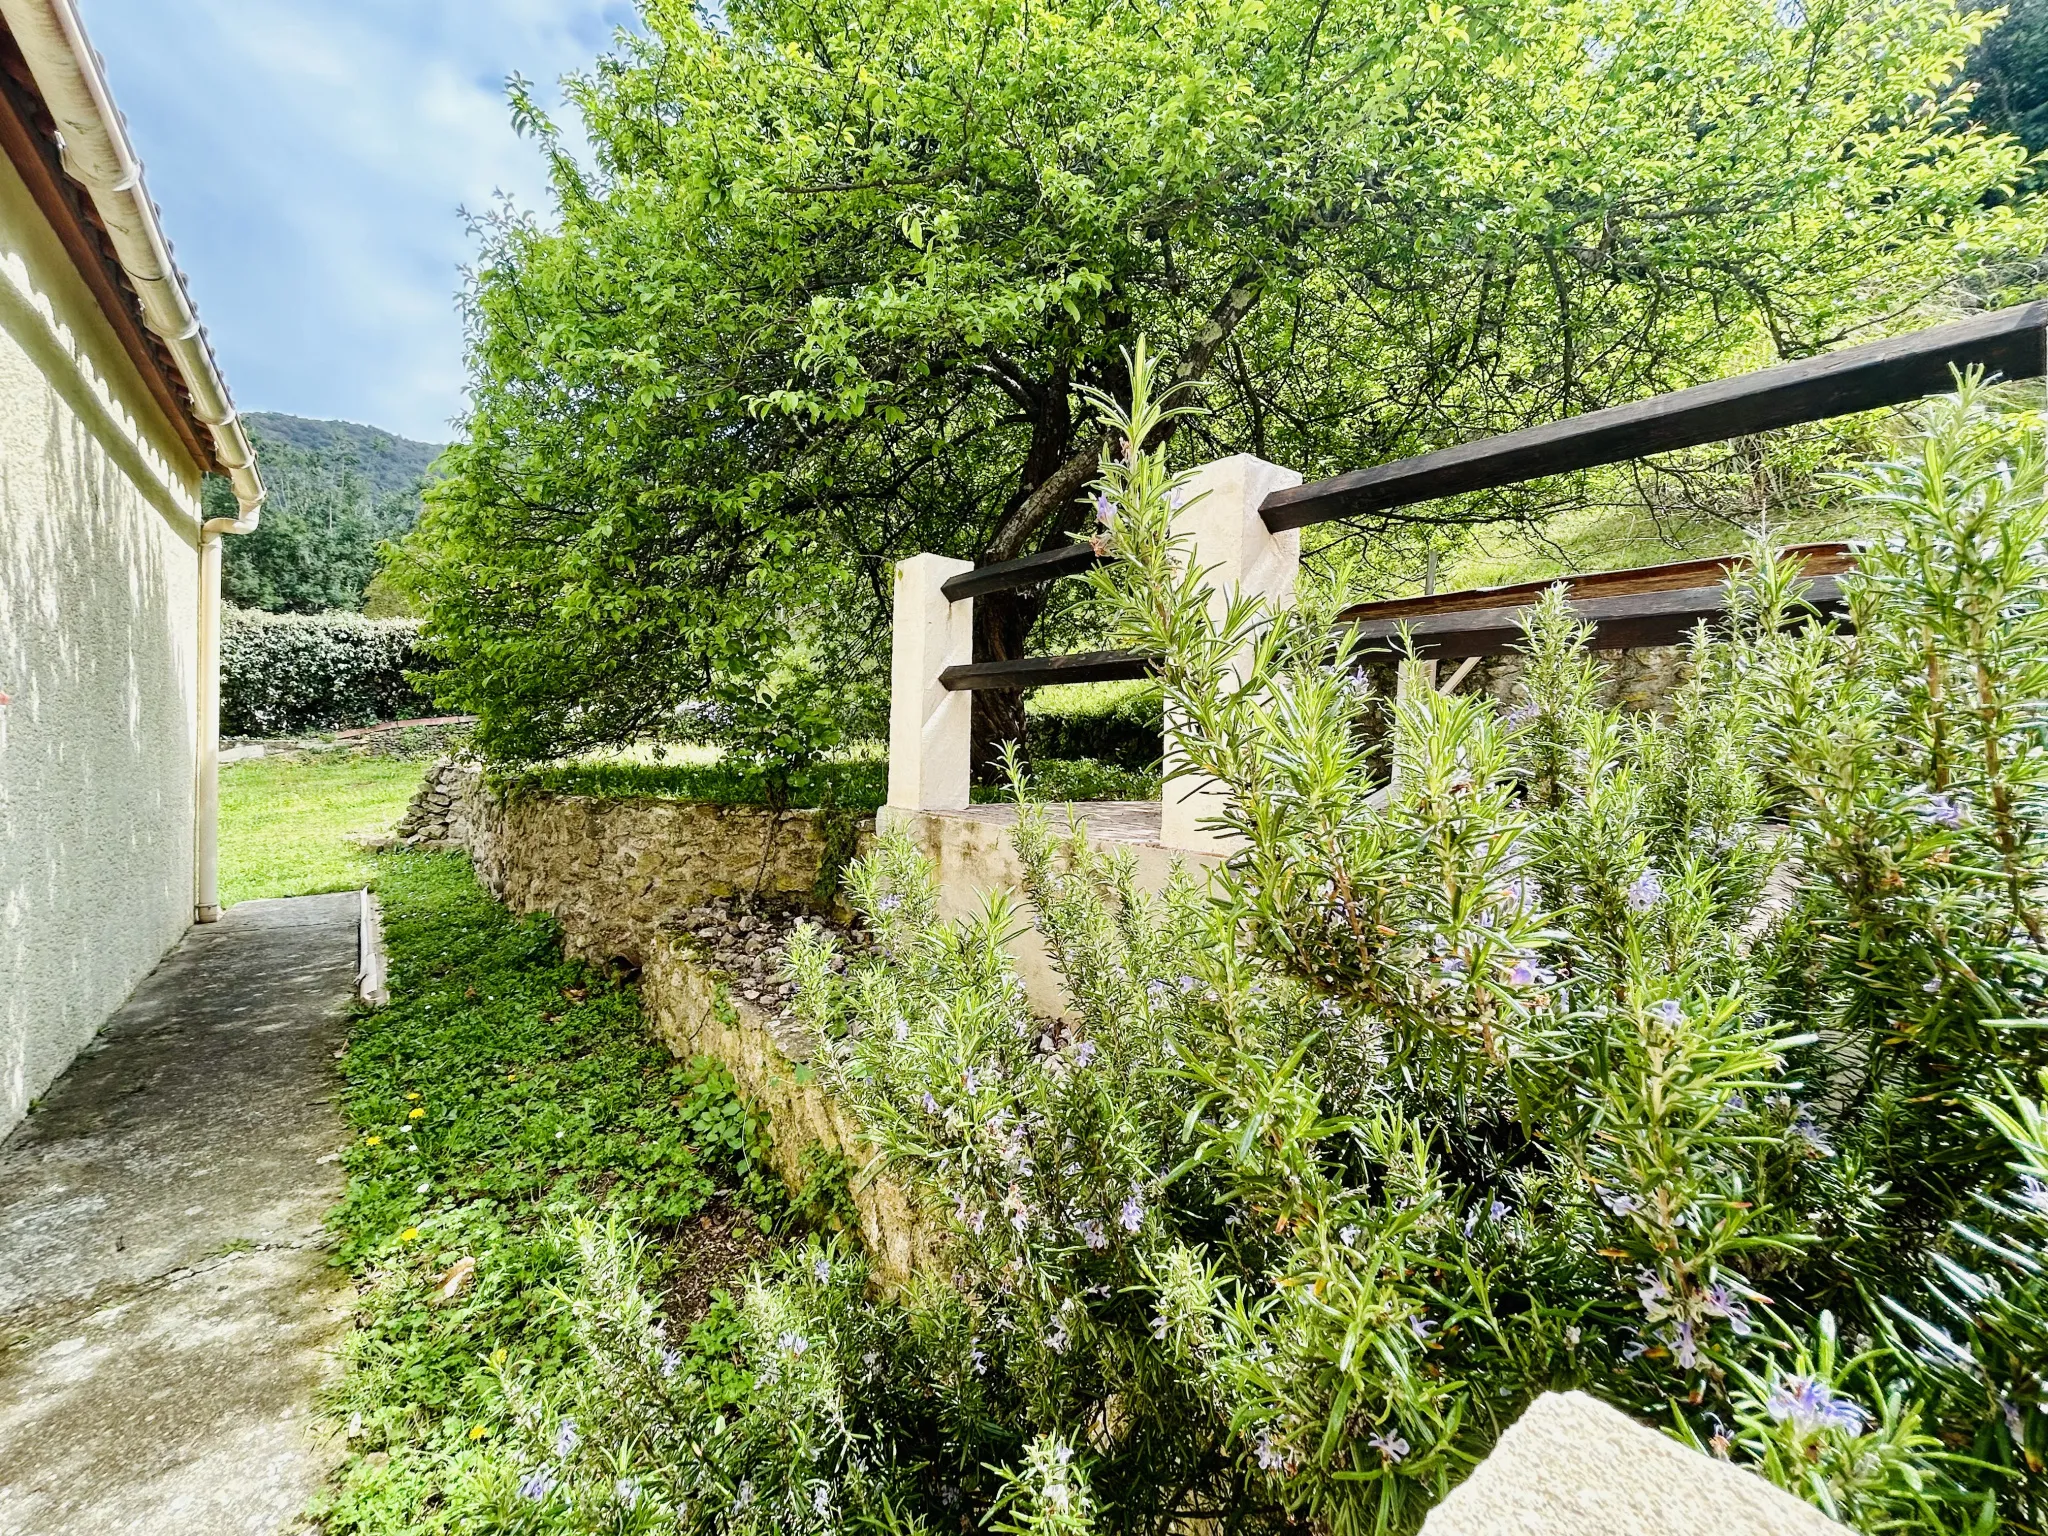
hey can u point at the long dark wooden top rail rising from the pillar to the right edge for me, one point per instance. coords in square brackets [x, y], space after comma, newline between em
[2008, 343]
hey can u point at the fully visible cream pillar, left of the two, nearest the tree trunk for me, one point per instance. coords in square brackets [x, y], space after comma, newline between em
[931, 730]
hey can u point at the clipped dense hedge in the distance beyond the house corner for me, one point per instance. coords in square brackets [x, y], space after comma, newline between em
[312, 673]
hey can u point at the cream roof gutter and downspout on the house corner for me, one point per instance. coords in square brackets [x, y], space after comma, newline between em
[99, 157]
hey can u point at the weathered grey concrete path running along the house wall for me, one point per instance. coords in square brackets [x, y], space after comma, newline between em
[167, 1310]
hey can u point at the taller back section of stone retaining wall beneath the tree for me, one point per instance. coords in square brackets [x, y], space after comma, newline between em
[615, 871]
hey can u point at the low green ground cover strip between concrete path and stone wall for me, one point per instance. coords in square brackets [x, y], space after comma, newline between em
[503, 1097]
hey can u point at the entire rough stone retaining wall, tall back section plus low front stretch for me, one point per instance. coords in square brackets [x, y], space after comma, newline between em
[622, 876]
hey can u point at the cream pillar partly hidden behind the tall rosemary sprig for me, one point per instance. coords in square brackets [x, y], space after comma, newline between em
[1238, 554]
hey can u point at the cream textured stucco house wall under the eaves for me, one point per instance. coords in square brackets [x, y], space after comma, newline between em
[99, 613]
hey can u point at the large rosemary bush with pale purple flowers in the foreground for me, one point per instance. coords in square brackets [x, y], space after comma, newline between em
[1693, 1064]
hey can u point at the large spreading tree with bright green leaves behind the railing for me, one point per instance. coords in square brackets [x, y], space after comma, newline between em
[839, 271]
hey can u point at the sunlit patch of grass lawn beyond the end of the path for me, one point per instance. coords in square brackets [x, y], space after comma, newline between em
[286, 820]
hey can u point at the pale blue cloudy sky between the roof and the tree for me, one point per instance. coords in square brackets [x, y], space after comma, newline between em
[310, 159]
